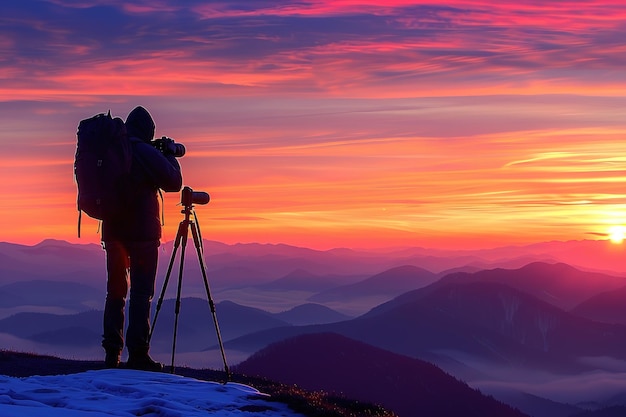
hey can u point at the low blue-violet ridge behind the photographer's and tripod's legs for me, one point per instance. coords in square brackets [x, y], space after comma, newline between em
[196, 330]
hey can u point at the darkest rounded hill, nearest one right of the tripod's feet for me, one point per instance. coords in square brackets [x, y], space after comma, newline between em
[408, 386]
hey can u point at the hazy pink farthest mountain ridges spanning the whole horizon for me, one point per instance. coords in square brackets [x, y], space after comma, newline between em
[245, 264]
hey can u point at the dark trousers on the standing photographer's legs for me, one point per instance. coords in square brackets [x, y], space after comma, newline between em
[137, 261]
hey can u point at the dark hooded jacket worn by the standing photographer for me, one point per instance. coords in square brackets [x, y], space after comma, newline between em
[150, 171]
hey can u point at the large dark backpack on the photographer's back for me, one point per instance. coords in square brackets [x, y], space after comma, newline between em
[101, 166]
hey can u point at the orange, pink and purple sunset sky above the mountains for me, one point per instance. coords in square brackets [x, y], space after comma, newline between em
[318, 123]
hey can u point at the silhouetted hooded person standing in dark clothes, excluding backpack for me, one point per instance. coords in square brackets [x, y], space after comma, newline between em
[131, 240]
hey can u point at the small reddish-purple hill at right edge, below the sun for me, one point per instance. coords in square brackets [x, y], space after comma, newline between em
[607, 307]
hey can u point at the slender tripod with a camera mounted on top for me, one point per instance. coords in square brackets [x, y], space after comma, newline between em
[183, 231]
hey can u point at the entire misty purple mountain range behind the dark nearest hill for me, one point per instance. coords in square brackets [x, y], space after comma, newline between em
[496, 319]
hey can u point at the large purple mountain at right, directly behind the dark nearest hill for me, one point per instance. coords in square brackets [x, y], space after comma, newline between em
[469, 320]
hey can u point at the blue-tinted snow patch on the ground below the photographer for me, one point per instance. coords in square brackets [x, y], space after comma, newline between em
[123, 392]
